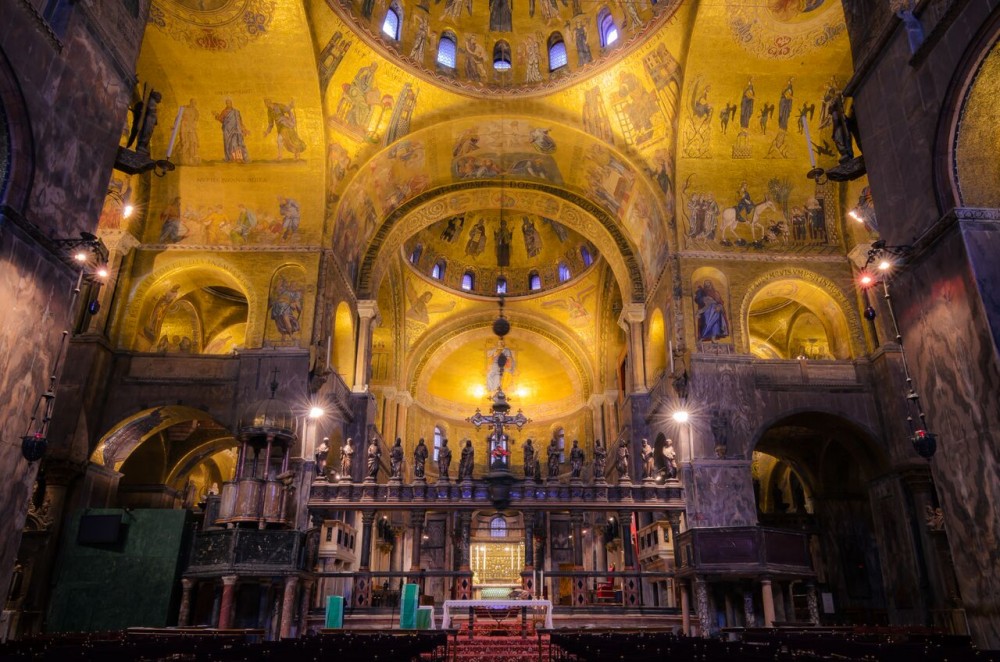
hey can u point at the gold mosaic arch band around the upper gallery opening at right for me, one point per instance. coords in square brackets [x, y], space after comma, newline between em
[841, 313]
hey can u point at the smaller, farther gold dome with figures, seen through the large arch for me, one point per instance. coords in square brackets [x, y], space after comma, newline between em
[464, 253]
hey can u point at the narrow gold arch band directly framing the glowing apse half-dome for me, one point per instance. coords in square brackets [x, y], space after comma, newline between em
[425, 348]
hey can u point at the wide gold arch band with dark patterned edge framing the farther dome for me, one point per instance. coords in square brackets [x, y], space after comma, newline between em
[574, 211]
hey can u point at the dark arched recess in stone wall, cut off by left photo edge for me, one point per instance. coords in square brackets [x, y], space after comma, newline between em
[17, 150]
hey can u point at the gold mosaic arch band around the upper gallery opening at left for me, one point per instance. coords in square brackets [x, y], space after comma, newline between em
[160, 282]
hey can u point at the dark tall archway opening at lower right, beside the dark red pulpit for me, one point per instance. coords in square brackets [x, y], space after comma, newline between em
[815, 472]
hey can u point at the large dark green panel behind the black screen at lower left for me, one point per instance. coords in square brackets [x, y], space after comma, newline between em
[134, 582]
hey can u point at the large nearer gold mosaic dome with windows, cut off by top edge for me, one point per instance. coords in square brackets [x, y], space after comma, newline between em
[505, 45]
